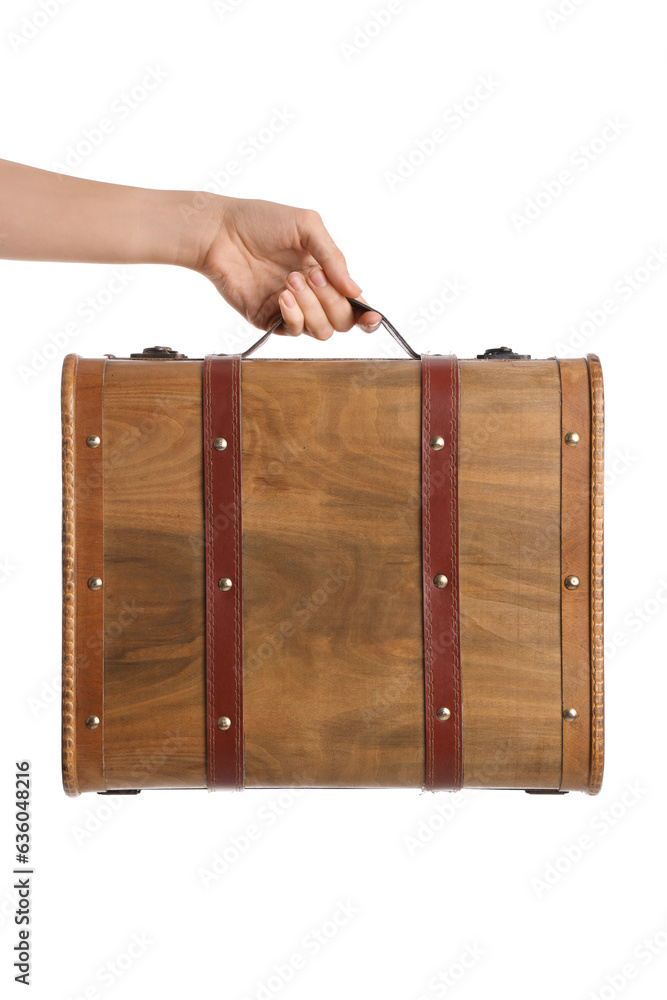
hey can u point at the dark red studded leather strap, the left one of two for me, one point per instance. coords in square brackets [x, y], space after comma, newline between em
[224, 584]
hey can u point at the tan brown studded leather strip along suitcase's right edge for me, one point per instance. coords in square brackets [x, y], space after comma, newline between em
[575, 562]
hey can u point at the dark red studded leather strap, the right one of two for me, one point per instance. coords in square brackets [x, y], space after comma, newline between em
[442, 668]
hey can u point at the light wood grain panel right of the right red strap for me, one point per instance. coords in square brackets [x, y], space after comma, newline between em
[509, 525]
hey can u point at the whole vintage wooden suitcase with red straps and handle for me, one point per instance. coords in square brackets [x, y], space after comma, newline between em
[332, 573]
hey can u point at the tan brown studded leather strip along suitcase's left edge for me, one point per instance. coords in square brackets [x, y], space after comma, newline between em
[87, 563]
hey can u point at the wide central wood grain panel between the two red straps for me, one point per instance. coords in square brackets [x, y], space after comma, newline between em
[333, 673]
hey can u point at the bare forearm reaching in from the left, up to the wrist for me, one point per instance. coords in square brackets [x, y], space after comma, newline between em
[55, 217]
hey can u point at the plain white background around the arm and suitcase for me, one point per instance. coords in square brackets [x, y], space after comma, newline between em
[500, 875]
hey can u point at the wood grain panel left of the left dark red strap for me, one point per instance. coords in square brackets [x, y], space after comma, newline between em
[154, 575]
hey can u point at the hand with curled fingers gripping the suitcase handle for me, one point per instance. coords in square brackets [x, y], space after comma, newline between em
[269, 260]
